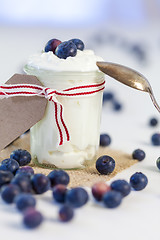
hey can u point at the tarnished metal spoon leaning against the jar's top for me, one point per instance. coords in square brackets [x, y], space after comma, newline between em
[128, 77]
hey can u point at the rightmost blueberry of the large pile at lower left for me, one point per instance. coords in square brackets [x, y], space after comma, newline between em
[77, 197]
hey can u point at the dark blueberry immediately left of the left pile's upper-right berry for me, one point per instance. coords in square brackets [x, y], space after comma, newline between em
[40, 183]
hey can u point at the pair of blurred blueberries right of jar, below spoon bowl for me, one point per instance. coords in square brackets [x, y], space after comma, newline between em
[109, 97]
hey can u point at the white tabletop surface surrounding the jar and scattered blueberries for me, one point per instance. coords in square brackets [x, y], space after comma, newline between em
[138, 215]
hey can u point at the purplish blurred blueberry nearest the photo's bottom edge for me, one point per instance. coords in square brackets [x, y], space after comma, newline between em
[32, 218]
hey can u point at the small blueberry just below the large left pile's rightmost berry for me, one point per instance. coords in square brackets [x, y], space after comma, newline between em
[66, 213]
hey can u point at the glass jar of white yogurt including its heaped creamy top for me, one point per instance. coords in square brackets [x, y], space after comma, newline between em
[81, 113]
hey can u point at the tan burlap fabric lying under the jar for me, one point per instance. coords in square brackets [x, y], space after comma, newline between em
[82, 177]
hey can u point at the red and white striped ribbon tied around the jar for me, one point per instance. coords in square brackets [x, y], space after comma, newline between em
[15, 90]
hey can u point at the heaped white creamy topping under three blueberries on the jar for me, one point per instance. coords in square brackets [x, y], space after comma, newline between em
[84, 61]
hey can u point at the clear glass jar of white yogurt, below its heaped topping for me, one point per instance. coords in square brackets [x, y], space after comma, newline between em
[82, 116]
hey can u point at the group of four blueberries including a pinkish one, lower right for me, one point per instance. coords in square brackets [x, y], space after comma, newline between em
[112, 195]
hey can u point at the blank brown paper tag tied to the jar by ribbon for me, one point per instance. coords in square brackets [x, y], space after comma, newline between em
[18, 114]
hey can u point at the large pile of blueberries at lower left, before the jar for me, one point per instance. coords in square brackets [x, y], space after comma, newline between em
[19, 184]
